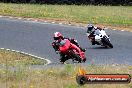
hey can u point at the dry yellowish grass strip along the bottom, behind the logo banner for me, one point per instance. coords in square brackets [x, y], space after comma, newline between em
[59, 77]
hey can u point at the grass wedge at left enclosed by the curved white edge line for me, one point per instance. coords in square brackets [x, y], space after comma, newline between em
[8, 58]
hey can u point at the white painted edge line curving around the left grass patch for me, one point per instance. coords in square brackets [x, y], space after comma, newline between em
[48, 61]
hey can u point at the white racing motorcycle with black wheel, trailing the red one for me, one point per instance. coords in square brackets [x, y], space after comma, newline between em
[101, 38]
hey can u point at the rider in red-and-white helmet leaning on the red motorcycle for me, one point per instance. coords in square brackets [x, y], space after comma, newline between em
[57, 39]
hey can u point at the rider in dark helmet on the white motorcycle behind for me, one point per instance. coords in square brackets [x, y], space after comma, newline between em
[92, 31]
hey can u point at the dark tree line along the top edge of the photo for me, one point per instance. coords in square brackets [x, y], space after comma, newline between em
[76, 2]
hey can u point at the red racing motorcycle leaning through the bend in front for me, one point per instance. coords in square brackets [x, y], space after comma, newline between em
[72, 51]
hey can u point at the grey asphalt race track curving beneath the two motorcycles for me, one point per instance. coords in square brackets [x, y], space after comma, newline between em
[36, 38]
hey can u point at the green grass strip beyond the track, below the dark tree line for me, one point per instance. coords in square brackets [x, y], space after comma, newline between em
[113, 15]
